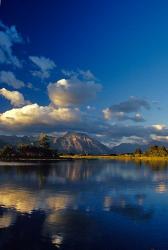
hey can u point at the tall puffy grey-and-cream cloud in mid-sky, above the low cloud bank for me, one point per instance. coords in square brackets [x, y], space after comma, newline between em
[67, 92]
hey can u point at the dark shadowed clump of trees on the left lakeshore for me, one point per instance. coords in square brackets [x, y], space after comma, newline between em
[38, 150]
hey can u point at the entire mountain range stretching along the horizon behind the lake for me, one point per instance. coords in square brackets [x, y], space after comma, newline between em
[78, 143]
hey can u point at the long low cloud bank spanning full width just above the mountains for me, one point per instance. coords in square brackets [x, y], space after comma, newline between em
[34, 118]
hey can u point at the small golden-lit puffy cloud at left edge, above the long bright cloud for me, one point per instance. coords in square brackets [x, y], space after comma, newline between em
[15, 97]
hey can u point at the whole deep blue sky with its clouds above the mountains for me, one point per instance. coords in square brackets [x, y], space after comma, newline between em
[98, 67]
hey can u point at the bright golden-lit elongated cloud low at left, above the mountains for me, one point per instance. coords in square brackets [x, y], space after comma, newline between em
[35, 115]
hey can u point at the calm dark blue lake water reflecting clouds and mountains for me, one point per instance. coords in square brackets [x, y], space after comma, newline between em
[81, 204]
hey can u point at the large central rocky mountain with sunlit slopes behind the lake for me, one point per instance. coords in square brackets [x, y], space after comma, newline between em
[80, 143]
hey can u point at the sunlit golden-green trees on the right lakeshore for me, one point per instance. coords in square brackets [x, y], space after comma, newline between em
[153, 151]
